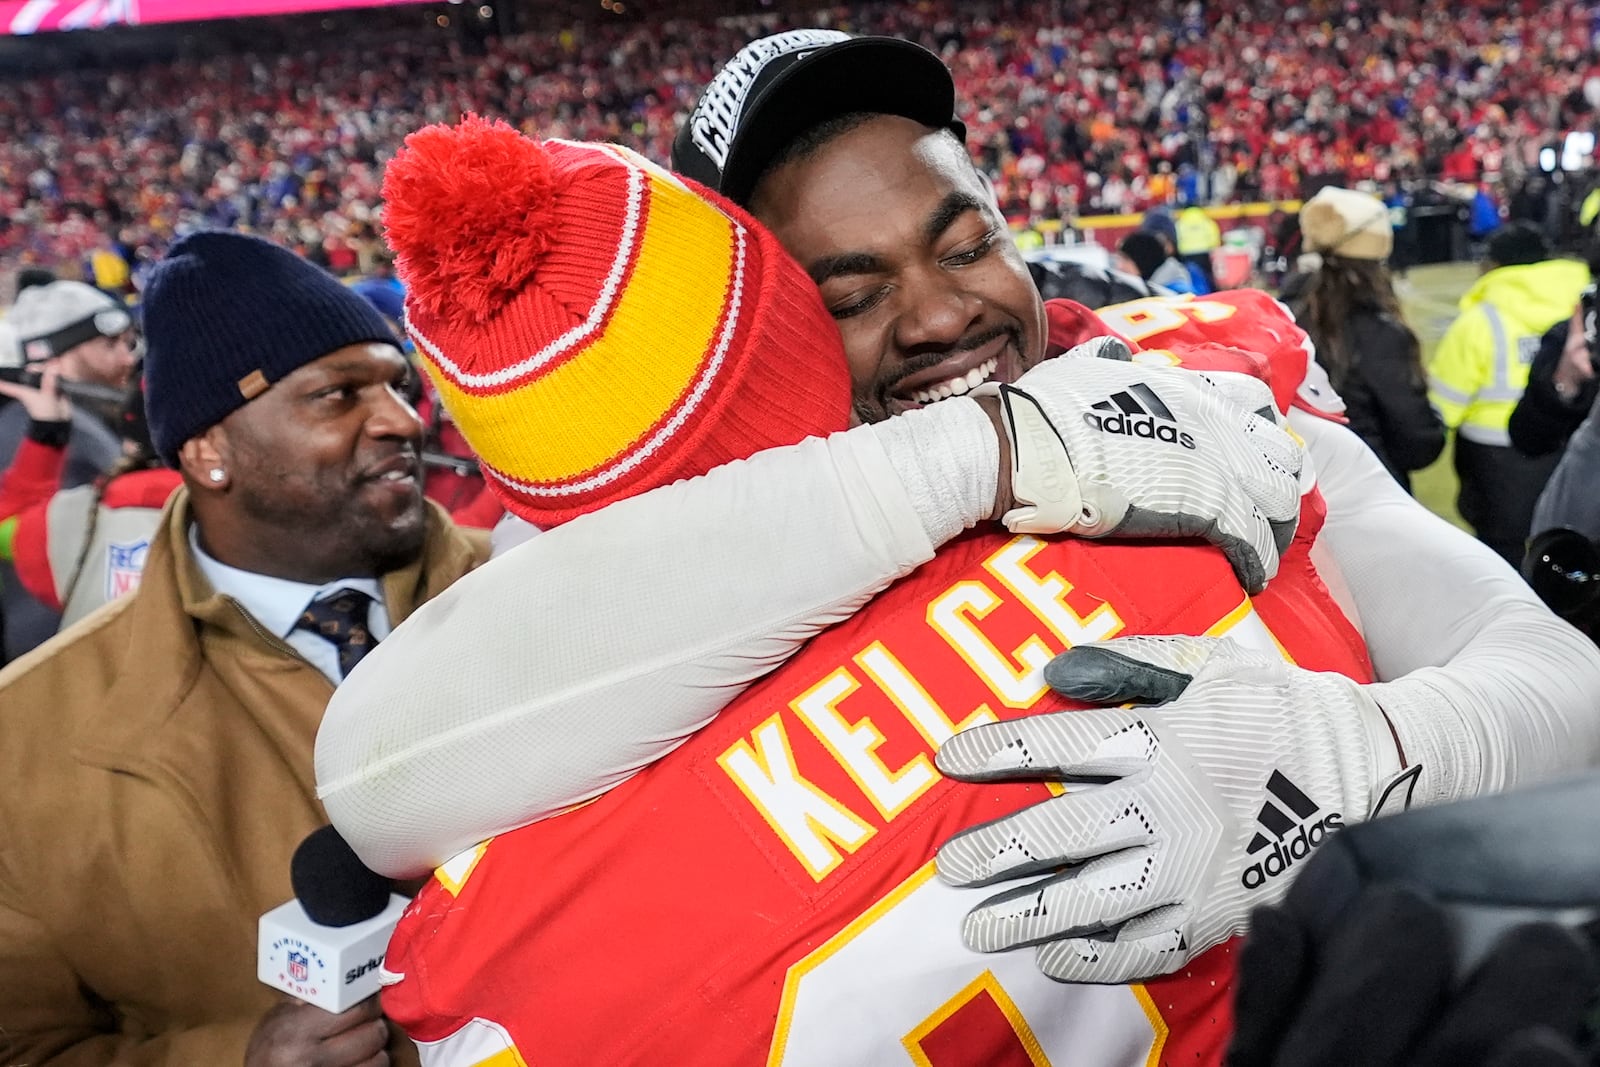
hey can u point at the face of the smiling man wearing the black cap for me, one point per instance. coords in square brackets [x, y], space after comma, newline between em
[914, 263]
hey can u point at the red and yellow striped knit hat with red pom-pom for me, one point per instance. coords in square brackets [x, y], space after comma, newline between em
[596, 326]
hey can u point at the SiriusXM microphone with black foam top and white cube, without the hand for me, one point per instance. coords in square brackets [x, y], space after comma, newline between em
[327, 945]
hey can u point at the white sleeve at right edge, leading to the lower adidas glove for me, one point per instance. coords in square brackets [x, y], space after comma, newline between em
[1484, 685]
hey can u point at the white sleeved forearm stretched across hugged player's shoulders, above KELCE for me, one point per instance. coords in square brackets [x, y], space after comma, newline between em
[562, 668]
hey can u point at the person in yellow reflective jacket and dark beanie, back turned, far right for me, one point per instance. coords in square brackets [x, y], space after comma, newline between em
[1481, 372]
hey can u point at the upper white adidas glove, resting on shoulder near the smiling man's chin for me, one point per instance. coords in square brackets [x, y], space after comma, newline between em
[1103, 447]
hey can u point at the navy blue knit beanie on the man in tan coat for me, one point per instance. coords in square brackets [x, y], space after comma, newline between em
[230, 314]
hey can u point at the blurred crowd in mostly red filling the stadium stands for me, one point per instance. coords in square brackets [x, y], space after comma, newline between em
[1074, 106]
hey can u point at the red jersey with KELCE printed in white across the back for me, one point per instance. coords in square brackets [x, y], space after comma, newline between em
[767, 892]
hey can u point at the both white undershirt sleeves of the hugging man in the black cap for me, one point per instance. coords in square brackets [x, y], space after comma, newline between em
[598, 649]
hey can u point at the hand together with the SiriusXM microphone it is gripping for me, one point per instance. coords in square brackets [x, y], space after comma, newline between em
[326, 948]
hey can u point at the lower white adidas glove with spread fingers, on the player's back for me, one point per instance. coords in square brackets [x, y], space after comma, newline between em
[1190, 815]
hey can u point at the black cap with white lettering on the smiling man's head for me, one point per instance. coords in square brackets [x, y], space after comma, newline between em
[780, 87]
